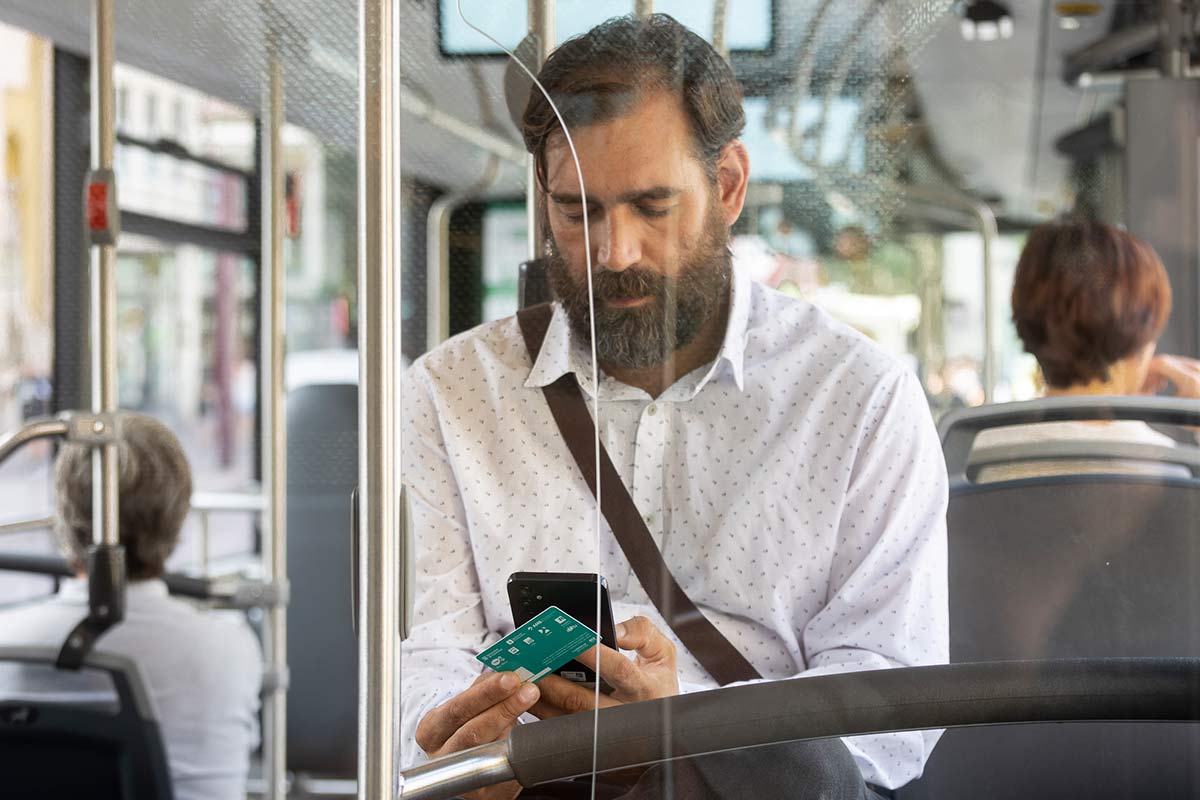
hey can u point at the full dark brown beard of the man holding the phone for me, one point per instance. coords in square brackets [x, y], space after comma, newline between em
[646, 336]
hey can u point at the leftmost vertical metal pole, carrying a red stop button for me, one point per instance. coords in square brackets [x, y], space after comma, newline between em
[105, 465]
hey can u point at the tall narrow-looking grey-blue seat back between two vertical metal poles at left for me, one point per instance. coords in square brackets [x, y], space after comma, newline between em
[323, 651]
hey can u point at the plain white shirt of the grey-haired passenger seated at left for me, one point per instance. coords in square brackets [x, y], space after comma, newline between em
[203, 670]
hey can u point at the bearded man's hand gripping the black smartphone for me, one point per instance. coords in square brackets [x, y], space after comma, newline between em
[655, 675]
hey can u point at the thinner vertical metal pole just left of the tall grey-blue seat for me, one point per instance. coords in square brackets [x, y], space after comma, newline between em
[274, 419]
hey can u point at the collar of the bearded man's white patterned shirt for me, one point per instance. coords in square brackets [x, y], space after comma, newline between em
[562, 353]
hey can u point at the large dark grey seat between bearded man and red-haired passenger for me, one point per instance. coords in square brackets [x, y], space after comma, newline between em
[1059, 568]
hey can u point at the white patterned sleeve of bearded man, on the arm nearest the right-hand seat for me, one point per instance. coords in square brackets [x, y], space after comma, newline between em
[887, 603]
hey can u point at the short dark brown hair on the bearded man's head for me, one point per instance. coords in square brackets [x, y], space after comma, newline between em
[601, 75]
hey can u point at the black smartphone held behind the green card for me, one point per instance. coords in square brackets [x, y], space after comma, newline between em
[575, 593]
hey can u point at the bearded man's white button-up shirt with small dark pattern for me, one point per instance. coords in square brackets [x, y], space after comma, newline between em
[795, 485]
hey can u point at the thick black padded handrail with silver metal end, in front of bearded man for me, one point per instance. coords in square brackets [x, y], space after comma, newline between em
[884, 701]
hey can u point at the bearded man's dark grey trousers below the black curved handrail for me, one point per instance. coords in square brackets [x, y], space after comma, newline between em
[809, 771]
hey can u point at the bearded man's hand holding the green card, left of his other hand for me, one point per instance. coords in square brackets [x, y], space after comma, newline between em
[485, 713]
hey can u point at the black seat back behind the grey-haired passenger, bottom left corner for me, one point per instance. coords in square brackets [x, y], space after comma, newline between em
[100, 743]
